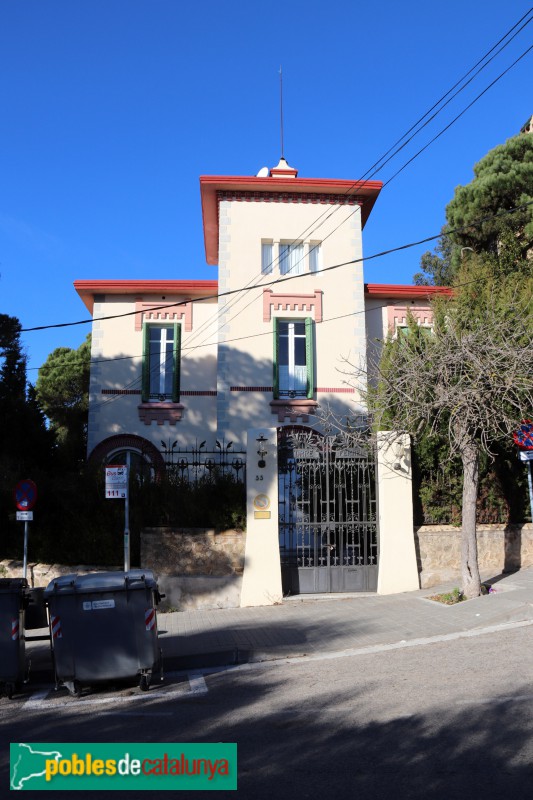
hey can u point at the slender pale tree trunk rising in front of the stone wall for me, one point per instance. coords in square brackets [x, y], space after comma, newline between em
[469, 564]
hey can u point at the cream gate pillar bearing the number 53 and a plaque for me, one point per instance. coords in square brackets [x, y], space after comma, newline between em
[261, 582]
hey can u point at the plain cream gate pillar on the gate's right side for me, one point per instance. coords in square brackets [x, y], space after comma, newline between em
[398, 570]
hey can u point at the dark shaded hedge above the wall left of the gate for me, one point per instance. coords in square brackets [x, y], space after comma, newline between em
[75, 524]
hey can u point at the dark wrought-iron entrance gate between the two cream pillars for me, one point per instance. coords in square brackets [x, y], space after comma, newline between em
[327, 514]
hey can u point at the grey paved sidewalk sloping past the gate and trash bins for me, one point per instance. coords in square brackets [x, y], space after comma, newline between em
[319, 624]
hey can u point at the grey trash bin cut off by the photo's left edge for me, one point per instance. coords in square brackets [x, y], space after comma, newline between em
[13, 599]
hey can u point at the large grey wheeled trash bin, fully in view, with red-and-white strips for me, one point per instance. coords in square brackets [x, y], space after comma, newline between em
[103, 627]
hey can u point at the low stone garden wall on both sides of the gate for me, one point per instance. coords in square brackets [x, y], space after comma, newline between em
[199, 568]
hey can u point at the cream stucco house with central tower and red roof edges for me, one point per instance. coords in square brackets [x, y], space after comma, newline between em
[266, 343]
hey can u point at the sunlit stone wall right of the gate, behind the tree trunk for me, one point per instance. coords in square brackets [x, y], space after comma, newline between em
[500, 549]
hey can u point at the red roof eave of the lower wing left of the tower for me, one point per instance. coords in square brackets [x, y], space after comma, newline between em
[88, 289]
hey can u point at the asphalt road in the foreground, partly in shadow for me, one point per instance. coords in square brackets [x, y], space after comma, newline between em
[434, 720]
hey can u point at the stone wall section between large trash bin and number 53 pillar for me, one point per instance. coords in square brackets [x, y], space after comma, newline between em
[196, 568]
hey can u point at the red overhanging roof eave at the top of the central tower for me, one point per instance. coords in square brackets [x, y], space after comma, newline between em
[210, 184]
